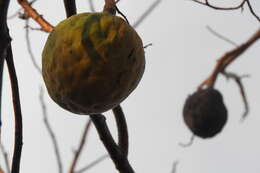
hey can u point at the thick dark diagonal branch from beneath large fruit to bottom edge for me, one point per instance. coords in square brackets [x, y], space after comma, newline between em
[114, 151]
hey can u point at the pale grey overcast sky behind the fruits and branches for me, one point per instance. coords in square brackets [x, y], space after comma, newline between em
[183, 54]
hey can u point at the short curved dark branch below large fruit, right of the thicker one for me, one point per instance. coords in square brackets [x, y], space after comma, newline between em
[121, 129]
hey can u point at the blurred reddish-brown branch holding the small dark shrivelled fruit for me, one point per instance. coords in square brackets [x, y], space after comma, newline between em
[228, 58]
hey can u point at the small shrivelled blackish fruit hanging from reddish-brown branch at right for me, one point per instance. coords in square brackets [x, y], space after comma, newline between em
[205, 113]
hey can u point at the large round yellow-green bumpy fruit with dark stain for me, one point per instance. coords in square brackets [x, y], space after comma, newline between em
[91, 62]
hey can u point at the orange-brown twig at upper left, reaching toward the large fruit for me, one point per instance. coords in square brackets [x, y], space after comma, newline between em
[31, 12]
